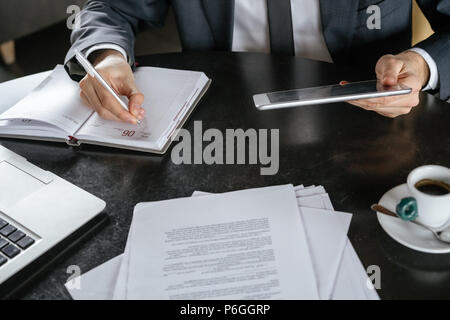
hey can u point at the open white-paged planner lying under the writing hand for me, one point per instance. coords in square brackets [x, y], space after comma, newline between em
[54, 111]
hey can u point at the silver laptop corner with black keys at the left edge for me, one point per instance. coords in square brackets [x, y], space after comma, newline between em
[37, 211]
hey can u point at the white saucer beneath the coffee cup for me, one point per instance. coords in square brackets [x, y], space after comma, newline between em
[404, 232]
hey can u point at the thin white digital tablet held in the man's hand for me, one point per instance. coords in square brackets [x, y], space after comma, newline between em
[327, 94]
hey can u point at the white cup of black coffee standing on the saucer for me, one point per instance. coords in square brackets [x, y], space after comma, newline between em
[433, 210]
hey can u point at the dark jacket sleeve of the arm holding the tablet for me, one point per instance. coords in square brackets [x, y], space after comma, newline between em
[438, 45]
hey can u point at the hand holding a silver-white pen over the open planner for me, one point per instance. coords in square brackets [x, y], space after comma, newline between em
[101, 87]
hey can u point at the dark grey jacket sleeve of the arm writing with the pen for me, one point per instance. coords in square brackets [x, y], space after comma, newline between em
[112, 21]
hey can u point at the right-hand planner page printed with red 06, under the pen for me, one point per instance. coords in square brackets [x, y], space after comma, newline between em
[166, 92]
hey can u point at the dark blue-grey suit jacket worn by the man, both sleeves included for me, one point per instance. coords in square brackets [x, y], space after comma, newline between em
[208, 25]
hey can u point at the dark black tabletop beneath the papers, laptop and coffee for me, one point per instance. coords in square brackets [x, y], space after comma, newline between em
[355, 154]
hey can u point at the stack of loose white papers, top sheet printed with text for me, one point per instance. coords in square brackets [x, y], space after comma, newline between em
[280, 242]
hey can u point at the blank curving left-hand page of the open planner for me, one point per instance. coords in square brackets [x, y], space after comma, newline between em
[55, 101]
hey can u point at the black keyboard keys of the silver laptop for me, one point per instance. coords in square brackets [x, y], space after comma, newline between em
[12, 241]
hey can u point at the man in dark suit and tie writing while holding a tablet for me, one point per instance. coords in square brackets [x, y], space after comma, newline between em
[331, 30]
